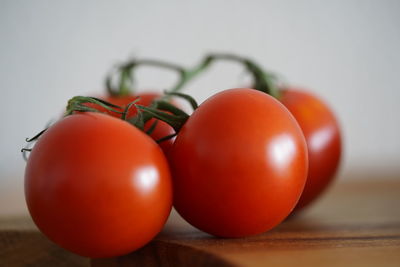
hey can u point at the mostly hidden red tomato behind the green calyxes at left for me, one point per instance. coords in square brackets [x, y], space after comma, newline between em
[161, 130]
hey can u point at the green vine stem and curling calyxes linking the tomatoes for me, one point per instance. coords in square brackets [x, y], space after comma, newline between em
[162, 109]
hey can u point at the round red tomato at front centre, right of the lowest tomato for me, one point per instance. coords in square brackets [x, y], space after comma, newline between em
[239, 164]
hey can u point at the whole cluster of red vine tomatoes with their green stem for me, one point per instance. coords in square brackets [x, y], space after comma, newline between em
[98, 185]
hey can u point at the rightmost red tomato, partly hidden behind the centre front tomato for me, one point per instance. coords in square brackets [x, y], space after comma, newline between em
[322, 135]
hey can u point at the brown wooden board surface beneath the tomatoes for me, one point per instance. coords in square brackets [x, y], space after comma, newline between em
[356, 223]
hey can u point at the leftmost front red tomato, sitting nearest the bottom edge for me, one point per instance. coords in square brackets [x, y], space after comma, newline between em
[97, 186]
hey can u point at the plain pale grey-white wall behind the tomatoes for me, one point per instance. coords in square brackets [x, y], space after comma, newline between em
[345, 51]
